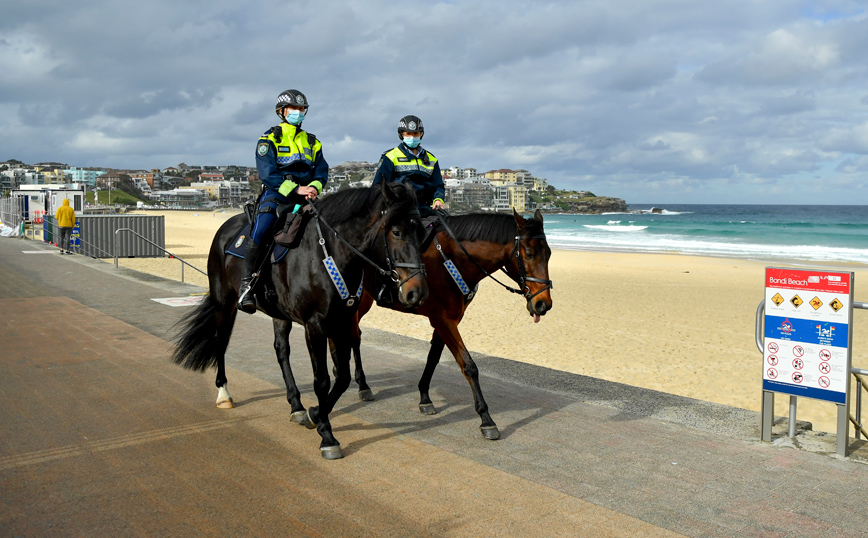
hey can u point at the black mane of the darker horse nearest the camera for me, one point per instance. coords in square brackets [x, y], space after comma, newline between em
[353, 203]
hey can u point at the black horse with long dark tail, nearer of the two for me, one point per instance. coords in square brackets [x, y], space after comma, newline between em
[383, 221]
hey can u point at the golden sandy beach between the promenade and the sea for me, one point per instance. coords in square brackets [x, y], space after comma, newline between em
[678, 324]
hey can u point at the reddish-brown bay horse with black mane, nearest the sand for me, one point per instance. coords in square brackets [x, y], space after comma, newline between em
[477, 245]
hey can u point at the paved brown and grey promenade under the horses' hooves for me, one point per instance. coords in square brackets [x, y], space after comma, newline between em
[102, 435]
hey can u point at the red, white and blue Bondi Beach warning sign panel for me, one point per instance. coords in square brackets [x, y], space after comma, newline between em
[816, 340]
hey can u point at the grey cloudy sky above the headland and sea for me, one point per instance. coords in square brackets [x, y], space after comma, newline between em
[732, 101]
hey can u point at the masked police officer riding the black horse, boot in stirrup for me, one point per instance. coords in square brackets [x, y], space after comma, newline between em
[292, 170]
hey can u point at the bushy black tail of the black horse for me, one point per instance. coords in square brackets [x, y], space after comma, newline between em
[197, 341]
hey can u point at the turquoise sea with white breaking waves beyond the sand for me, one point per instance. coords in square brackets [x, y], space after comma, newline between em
[837, 234]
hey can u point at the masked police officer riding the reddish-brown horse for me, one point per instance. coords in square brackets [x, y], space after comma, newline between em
[410, 161]
